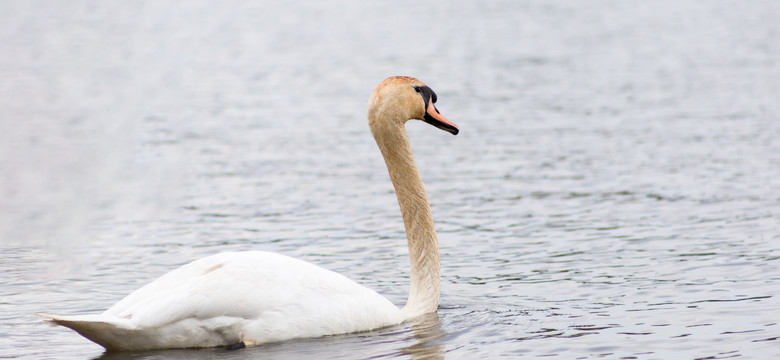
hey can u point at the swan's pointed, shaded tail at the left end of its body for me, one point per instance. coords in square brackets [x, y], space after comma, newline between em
[102, 331]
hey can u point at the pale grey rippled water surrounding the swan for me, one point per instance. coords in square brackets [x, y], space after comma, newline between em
[614, 191]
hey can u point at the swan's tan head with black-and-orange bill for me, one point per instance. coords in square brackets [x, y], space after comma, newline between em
[398, 99]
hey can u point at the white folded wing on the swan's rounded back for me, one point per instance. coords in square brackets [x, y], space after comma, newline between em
[254, 297]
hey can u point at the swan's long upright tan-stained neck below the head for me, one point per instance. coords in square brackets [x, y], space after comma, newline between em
[425, 274]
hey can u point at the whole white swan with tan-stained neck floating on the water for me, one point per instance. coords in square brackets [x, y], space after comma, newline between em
[240, 299]
